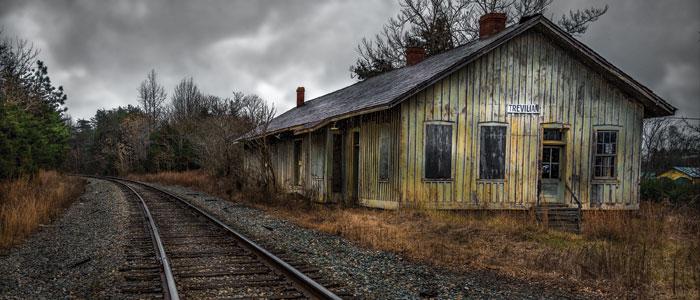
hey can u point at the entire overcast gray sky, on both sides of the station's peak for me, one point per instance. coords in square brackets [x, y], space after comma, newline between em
[101, 50]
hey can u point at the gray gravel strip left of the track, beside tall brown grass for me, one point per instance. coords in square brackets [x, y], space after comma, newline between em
[76, 256]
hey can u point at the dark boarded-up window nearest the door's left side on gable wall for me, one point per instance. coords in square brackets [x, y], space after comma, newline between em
[492, 155]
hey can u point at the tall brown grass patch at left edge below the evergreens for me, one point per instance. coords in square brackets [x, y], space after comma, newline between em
[26, 203]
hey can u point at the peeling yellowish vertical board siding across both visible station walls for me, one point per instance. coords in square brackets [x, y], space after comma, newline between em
[529, 69]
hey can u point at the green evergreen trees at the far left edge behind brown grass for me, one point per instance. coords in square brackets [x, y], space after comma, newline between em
[33, 130]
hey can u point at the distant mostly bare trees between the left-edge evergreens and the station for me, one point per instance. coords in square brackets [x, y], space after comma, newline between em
[188, 130]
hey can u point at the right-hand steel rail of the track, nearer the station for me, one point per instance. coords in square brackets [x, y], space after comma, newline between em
[309, 285]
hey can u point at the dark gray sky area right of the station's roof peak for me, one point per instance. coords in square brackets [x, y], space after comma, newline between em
[655, 42]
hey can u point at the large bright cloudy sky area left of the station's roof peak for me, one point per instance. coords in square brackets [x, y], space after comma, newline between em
[100, 51]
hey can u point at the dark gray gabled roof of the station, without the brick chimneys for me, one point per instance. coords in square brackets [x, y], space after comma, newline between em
[385, 90]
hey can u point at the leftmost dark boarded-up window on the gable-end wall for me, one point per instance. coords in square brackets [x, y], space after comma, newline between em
[438, 151]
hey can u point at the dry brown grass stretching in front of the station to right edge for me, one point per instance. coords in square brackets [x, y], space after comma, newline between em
[652, 252]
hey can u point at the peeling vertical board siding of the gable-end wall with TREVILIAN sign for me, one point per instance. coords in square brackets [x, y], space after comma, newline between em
[527, 70]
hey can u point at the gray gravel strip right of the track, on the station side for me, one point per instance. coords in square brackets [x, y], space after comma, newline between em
[366, 273]
